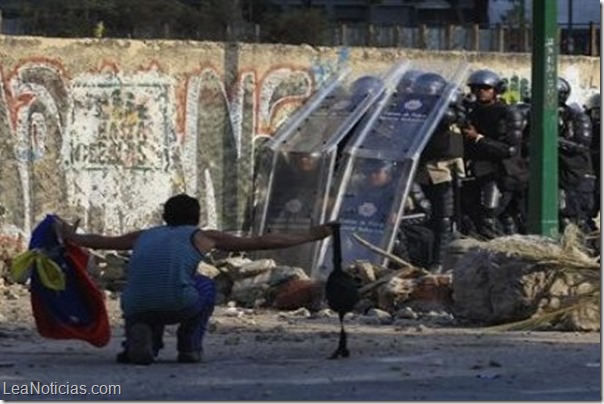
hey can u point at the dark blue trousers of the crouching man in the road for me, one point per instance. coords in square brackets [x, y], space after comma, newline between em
[192, 321]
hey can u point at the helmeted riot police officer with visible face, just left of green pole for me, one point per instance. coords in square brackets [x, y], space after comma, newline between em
[492, 145]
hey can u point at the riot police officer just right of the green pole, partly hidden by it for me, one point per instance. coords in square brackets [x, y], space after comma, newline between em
[575, 170]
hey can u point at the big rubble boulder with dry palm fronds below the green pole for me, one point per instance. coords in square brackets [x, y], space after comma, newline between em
[529, 280]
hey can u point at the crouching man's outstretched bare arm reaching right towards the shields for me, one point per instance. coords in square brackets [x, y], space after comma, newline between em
[213, 239]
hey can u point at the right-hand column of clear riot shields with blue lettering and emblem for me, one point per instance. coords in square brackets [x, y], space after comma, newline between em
[377, 169]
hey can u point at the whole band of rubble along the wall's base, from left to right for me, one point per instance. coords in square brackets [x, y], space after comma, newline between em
[506, 280]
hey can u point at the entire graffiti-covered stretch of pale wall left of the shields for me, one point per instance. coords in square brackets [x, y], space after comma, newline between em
[110, 147]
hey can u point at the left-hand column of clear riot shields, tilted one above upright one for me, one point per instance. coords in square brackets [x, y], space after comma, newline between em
[302, 169]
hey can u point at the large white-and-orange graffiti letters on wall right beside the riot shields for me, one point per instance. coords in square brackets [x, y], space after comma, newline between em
[219, 127]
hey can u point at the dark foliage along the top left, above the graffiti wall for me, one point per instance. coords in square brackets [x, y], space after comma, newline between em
[175, 19]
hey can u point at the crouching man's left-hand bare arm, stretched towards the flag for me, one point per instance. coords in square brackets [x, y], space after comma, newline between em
[67, 232]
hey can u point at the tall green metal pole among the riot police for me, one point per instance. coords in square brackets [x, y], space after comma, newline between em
[543, 183]
